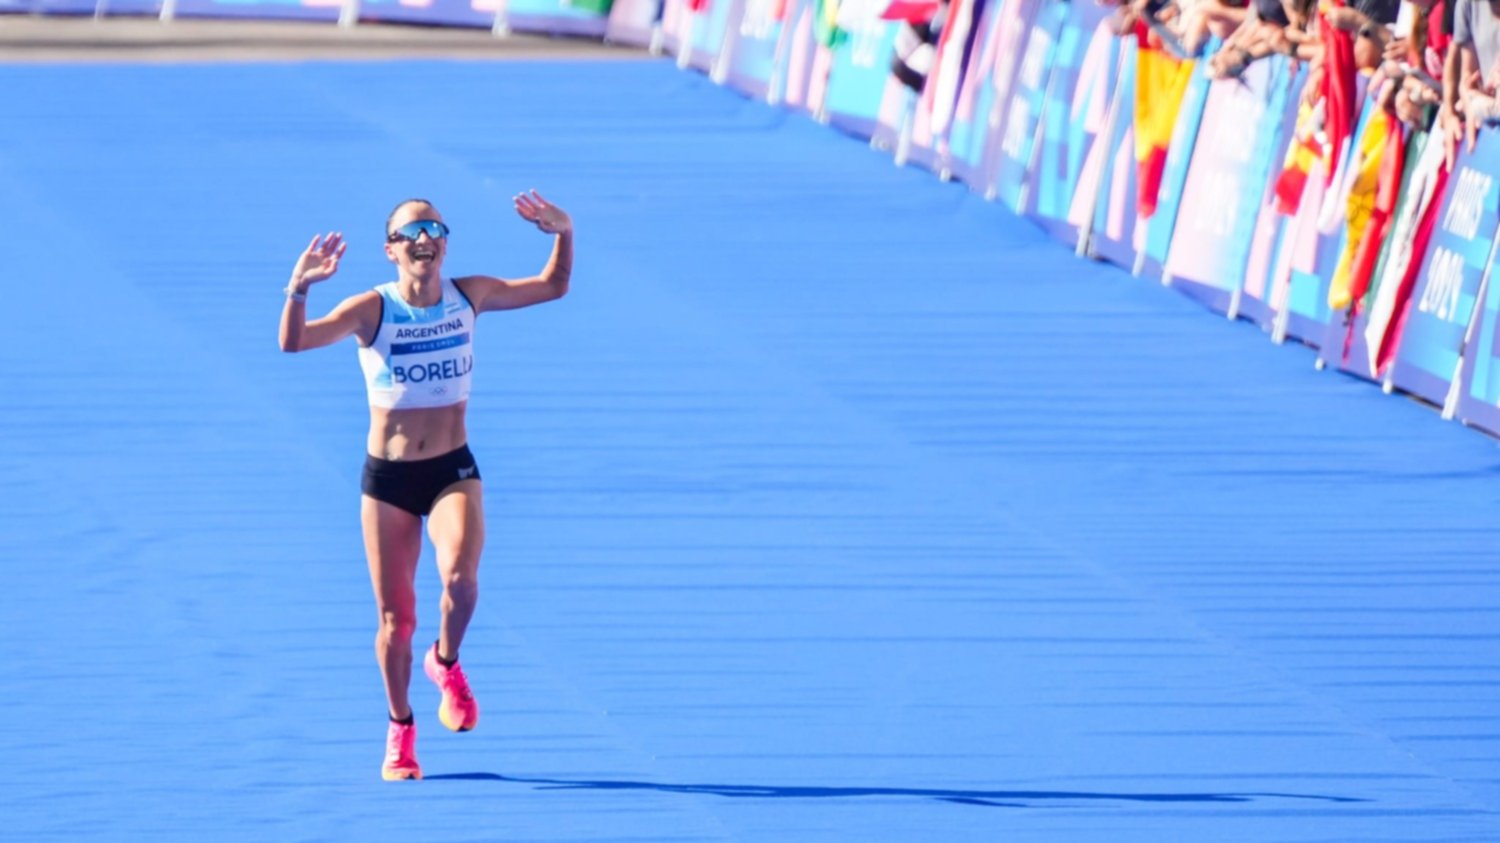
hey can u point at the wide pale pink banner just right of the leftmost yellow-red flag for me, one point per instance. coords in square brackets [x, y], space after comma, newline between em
[1226, 185]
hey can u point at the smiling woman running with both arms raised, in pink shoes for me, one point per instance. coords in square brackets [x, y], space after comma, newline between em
[416, 349]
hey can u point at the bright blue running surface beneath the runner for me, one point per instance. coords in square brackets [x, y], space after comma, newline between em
[833, 503]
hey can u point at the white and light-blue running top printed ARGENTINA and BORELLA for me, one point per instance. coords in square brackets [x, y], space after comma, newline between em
[421, 356]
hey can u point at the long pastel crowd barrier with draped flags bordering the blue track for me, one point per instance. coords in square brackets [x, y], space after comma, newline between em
[1373, 251]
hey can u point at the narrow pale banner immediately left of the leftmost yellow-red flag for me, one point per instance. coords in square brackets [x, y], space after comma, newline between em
[1114, 230]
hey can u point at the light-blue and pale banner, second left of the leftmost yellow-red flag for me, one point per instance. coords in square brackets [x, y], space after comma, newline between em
[1070, 164]
